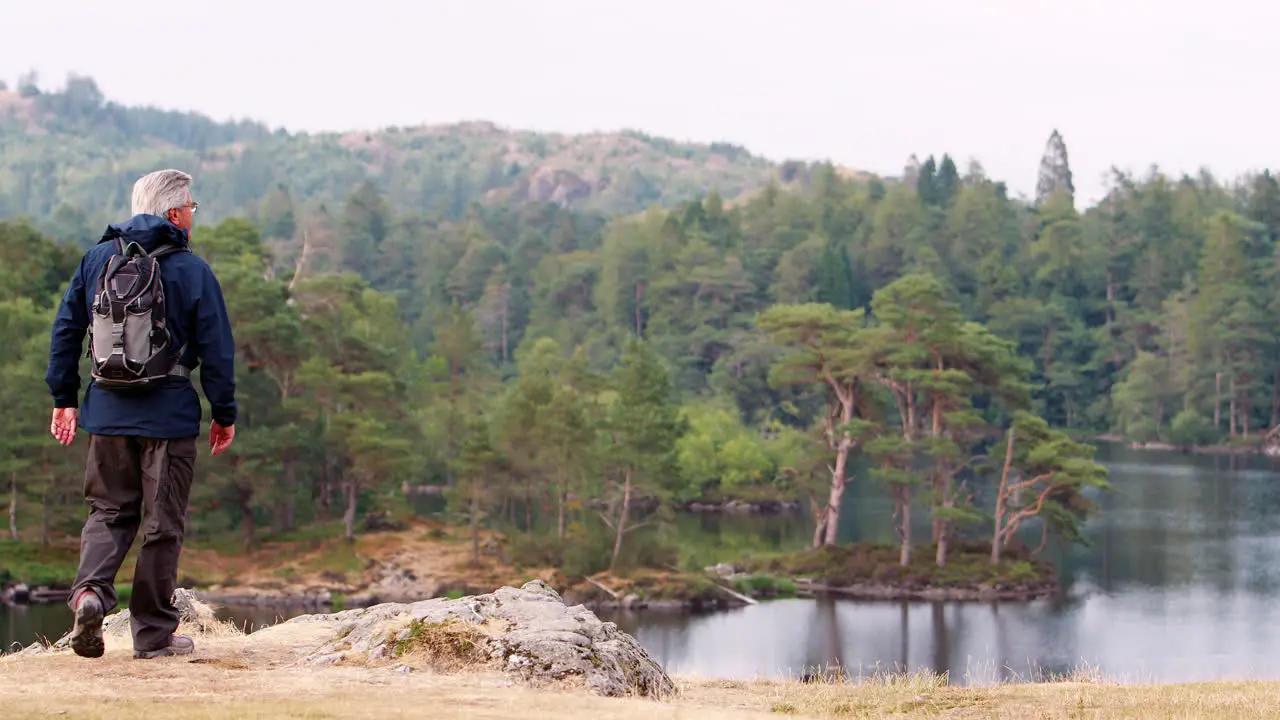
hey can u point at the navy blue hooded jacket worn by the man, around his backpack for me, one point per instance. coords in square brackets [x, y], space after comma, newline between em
[196, 318]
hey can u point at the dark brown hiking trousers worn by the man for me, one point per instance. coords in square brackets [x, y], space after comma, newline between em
[132, 482]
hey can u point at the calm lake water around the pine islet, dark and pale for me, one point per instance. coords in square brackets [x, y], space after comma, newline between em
[1182, 584]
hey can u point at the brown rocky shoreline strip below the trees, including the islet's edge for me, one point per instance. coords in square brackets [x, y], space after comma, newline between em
[410, 566]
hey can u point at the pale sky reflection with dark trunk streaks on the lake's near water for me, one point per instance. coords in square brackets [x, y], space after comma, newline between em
[1145, 637]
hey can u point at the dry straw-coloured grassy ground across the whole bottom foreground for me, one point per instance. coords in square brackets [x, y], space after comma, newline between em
[225, 681]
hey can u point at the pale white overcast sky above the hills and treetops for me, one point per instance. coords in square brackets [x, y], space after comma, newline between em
[865, 84]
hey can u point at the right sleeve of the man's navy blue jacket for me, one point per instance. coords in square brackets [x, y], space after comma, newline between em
[217, 350]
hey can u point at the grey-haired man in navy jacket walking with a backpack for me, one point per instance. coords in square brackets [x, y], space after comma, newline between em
[143, 441]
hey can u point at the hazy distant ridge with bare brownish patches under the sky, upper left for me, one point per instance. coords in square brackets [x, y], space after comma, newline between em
[75, 153]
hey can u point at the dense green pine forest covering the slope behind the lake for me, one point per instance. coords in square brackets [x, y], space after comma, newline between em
[533, 358]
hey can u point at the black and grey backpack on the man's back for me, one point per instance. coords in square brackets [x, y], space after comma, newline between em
[129, 339]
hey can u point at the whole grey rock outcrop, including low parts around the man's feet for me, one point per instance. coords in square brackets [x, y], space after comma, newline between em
[527, 634]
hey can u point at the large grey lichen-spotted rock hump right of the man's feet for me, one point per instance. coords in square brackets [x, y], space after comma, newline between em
[528, 634]
